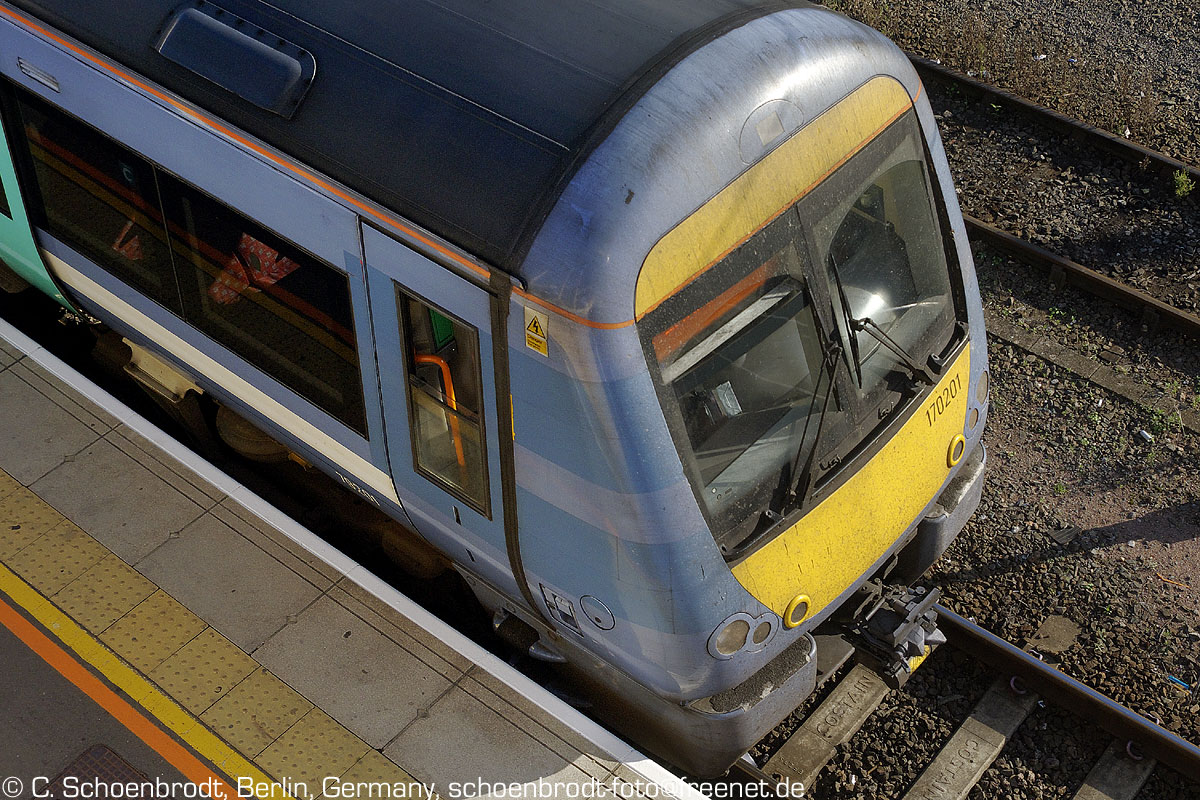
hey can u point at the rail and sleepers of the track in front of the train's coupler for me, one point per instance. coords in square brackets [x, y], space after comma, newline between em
[1023, 681]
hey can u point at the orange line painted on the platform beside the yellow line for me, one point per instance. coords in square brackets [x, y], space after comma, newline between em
[152, 735]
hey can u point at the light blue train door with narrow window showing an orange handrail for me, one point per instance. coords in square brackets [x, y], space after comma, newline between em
[434, 335]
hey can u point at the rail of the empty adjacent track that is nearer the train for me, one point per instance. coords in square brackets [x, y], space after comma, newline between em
[1063, 272]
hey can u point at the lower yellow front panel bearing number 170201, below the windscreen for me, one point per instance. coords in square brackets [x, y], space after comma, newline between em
[841, 539]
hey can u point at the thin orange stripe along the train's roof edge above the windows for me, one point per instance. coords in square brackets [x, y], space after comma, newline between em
[292, 169]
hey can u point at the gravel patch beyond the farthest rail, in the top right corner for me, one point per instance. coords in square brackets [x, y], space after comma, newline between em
[1124, 65]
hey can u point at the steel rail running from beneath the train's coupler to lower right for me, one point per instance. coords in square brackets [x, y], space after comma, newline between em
[1155, 742]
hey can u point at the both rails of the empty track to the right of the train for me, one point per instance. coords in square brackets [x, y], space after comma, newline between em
[1064, 272]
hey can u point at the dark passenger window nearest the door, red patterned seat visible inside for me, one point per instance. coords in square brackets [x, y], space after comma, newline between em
[280, 309]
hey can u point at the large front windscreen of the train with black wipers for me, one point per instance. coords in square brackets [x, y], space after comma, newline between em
[778, 352]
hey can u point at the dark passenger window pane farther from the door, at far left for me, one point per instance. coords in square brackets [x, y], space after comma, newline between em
[101, 200]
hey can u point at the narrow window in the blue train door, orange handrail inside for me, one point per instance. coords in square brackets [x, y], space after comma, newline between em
[442, 359]
